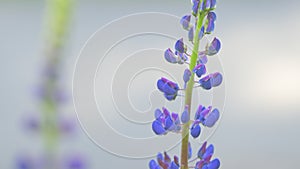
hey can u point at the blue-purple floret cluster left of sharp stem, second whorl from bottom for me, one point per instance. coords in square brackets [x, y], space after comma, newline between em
[165, 122]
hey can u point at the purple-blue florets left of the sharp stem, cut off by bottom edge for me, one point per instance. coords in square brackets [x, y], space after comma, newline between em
[164, 162]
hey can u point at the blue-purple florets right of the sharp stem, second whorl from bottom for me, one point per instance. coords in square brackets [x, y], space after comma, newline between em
[207, 117]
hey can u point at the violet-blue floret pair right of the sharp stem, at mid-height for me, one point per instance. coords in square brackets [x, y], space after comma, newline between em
[211, 80]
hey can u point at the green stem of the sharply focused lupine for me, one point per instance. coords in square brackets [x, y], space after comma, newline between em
[188, 93]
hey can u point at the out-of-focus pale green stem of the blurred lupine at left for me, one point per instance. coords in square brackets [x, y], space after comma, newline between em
[57, 24]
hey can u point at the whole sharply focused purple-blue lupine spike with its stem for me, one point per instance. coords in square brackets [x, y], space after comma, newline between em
[196, 75]
